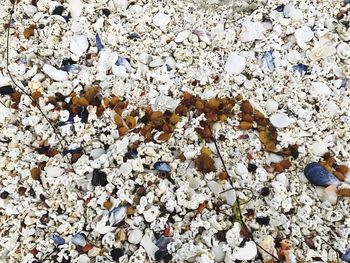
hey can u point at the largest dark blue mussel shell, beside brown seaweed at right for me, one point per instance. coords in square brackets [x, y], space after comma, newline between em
[319, 176]
